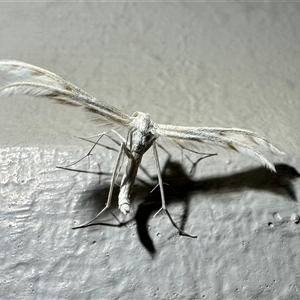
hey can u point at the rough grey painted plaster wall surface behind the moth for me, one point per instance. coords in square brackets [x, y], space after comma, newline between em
[202, 64]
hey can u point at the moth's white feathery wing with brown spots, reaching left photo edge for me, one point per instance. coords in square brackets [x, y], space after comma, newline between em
[26, 79]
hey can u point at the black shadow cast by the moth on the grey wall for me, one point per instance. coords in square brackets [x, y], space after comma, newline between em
[180, 186]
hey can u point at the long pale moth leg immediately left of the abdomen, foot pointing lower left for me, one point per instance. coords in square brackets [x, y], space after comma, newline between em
[112, 183]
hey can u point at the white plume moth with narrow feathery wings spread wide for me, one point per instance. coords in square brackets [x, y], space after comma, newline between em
[26, 79]
